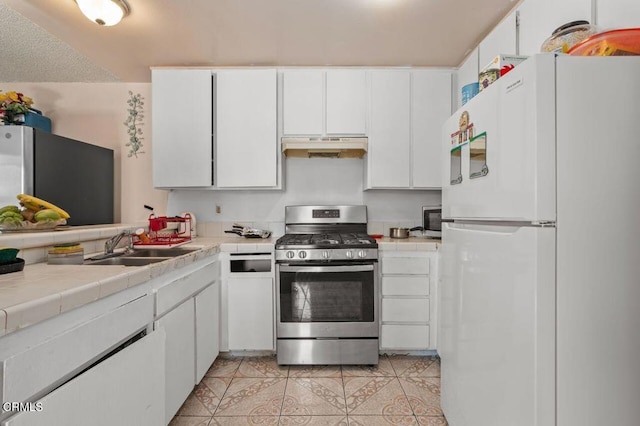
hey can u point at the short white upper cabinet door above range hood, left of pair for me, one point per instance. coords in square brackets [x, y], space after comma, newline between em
[303, 102]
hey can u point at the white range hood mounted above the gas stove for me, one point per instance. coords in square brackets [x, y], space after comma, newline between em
[325, 147]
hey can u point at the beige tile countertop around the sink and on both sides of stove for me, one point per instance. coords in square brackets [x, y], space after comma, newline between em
[42, 291]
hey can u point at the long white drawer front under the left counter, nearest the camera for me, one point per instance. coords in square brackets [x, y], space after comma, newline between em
[46, 365]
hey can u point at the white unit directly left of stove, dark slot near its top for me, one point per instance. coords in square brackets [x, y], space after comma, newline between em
[248, 289]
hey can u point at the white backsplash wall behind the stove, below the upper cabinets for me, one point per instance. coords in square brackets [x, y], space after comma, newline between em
[307, 181]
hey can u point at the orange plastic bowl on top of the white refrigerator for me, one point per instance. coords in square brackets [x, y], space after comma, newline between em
[624, 42]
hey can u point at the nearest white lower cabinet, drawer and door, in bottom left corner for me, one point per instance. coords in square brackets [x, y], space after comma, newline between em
[91, 365]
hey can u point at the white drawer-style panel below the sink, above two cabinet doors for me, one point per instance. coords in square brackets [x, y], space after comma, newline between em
[175, 292]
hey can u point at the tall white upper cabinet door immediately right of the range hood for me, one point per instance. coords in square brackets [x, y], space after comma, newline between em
[389, 152]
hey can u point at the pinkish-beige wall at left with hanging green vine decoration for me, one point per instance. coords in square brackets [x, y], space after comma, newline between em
[95, 113]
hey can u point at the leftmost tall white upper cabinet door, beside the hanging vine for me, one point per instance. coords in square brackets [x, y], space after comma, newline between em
[181, 128]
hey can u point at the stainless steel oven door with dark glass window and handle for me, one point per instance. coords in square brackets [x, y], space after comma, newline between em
[327, 301]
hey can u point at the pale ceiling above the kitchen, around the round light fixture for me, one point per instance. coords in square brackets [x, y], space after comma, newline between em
[50, 40]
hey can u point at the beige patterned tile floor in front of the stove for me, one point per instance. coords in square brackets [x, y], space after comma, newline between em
[400, 390]
